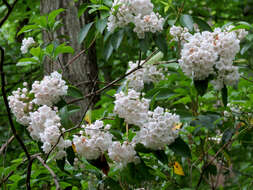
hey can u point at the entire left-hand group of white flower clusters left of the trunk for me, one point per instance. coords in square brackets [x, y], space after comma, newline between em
[43, 122]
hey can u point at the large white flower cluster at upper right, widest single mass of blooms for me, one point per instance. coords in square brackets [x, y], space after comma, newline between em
[210, 53]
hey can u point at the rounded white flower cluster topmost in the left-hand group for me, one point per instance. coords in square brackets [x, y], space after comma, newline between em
[49, 90]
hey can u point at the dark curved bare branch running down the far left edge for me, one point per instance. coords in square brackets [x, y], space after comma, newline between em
[7, 106]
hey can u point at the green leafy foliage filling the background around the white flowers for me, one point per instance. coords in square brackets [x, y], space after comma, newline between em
[201, 108]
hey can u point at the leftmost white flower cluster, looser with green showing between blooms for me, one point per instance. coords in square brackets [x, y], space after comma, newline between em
[21, 105]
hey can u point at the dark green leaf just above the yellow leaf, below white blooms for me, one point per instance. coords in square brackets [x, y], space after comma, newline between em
[180, 148]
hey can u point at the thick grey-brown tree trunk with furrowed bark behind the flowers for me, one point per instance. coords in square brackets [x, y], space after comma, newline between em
[85, 67]
